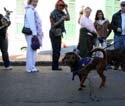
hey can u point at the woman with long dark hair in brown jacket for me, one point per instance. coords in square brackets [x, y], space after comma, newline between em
[102, 27]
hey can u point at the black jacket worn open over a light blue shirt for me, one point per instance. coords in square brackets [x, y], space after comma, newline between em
[116, 22]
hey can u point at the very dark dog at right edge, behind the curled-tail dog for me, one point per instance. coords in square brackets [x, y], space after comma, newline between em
[116, 57]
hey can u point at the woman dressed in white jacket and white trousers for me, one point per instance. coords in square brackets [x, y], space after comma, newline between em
[32, 21]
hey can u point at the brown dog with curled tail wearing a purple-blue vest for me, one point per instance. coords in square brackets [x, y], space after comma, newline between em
[72, 60]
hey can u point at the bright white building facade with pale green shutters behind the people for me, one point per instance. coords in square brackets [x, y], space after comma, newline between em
[17, 39]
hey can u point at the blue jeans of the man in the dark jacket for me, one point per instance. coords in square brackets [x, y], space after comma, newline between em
[119, 41]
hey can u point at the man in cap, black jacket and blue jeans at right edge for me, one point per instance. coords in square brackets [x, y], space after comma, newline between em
[118, 27]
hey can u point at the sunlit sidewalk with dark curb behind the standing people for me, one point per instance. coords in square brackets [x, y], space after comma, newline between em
[43, 57]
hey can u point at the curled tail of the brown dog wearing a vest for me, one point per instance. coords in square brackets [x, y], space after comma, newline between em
[96, 49]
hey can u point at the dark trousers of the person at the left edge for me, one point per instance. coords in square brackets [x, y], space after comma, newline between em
[4, 50]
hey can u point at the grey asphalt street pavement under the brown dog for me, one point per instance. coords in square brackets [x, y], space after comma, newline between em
[55, 88]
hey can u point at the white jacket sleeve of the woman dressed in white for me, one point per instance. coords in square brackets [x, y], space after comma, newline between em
[31, 20]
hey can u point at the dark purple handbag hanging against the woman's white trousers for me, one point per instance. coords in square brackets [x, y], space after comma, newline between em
[35, 44]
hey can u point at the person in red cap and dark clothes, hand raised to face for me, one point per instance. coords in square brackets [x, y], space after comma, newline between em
[57, 18]
